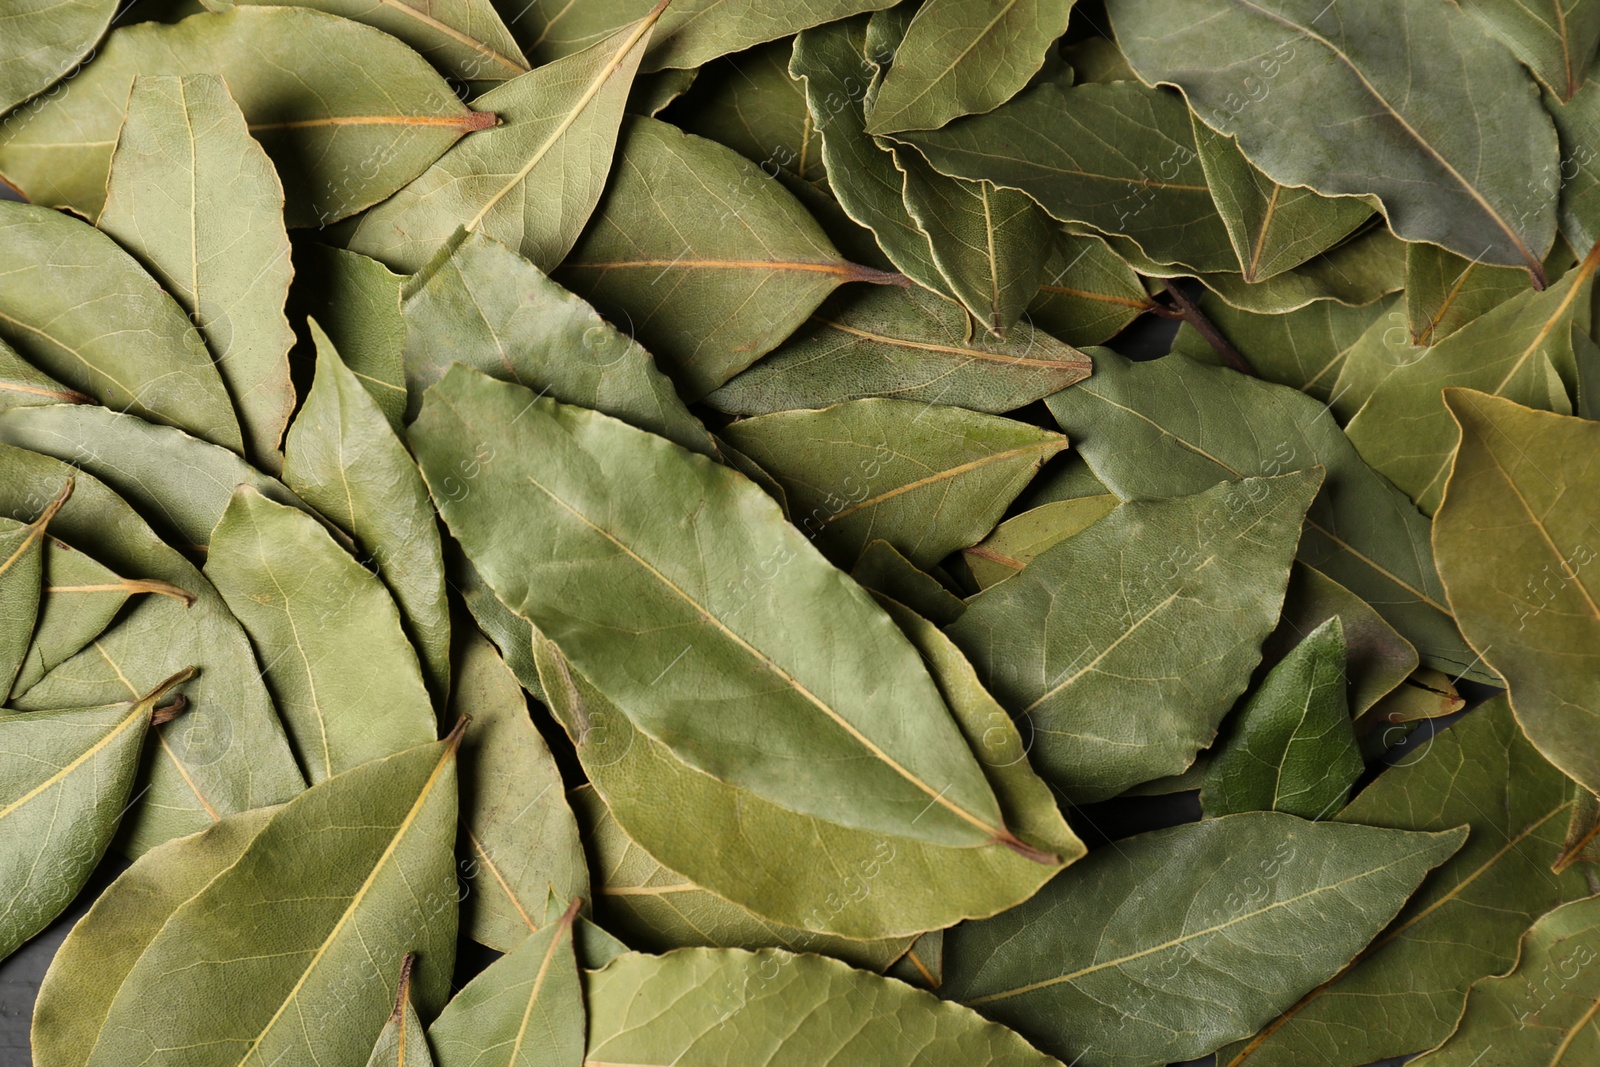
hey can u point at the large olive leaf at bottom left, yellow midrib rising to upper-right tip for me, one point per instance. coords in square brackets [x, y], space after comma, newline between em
[313, 919]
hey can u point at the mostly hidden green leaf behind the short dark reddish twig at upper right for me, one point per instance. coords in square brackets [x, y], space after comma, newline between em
[1303, 350]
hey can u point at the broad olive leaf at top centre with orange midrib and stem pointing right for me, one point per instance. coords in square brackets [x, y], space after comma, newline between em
[703, 258]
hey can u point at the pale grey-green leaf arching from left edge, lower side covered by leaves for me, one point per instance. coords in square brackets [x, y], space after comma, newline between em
[178, 484]
